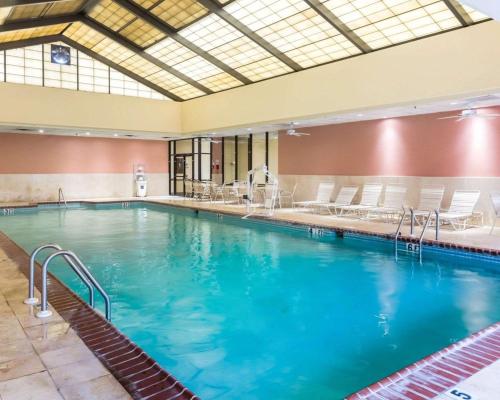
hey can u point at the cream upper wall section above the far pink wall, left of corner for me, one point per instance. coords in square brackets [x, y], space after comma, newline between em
[49, 107]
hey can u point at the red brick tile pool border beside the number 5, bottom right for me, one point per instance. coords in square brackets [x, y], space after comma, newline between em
[439, 372]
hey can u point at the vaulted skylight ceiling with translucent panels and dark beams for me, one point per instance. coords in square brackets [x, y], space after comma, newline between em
[190, 48]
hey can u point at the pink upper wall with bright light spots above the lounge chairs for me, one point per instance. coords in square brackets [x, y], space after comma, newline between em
[409, 146]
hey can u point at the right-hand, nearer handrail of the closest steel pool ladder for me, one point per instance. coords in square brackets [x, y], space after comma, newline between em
[44, 312]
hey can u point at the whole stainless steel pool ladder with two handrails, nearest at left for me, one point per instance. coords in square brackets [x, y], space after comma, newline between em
[76, 265]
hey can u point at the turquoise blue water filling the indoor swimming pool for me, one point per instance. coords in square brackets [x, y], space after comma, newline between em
[241, 310]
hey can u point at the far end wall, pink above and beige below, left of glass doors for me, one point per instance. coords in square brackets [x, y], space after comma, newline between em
[34, 167]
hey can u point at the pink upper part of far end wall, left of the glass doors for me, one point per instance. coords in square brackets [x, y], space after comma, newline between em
[43, 154]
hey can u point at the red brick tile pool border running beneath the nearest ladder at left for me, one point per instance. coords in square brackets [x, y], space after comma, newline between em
[139, 374]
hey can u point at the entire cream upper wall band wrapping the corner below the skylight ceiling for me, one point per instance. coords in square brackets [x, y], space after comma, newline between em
[458, 63]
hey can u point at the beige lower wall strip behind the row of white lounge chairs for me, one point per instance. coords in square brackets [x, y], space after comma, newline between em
[307, 186]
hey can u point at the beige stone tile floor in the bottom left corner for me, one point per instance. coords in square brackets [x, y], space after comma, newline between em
[44, 359]
